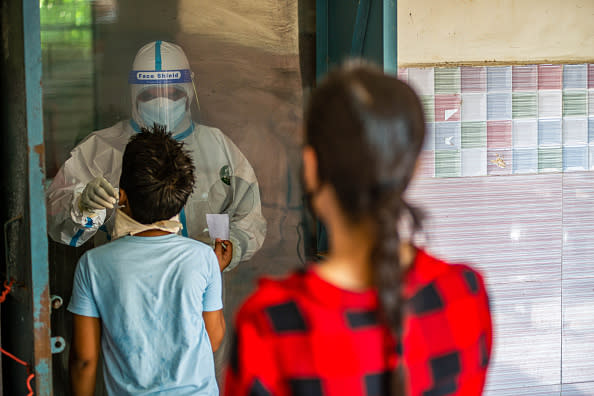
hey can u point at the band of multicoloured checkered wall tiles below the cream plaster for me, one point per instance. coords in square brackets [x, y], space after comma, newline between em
[522, 116]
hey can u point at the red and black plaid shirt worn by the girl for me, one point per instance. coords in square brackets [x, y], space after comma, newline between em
[304, 336]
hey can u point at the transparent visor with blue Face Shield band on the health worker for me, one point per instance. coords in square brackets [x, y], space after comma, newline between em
[163, 98]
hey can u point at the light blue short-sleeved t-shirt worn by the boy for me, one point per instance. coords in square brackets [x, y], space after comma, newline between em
[149, 293]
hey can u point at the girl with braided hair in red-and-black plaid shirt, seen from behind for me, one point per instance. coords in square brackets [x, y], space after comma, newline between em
[378, 316]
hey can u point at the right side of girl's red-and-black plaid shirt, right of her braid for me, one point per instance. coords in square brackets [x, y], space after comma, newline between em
[454, 359]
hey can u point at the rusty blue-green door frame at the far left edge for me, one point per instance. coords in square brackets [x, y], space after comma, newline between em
[26, 309]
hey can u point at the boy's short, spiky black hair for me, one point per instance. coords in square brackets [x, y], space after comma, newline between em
[157, 175]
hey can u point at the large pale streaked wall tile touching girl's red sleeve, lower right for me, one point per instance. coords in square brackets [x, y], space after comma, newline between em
[528, 327]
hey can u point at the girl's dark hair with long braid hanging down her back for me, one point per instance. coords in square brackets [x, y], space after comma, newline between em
[367, 130]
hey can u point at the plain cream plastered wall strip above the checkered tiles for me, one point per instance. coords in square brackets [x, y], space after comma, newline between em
[495, 31]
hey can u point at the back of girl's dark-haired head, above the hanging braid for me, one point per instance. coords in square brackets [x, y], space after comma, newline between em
[366, 129]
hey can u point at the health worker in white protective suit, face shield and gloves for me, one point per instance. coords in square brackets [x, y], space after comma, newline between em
[82, 196]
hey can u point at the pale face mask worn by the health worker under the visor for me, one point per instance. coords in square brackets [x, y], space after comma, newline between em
[163, 111]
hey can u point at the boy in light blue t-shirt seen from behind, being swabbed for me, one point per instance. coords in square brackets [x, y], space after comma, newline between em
[152, 300]
